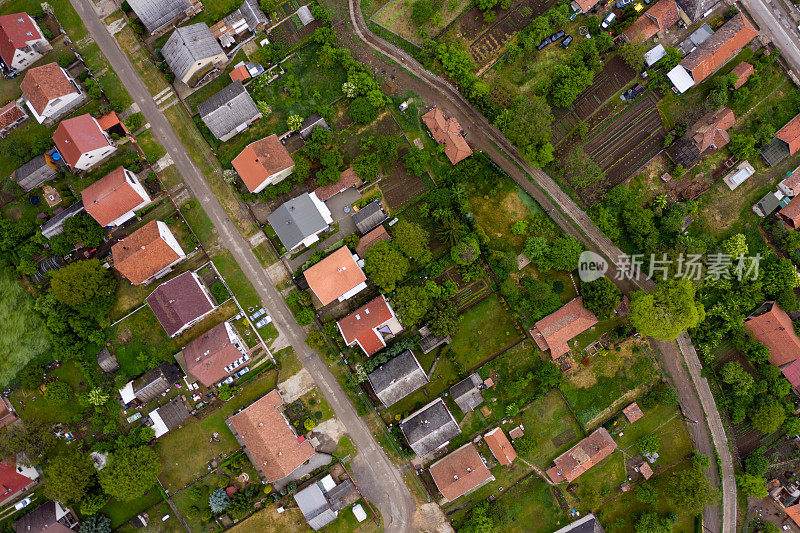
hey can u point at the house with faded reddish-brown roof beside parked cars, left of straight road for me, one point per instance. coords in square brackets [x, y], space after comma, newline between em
[215, 355]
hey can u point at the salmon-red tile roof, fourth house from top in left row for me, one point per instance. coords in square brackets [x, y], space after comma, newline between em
[110, 197]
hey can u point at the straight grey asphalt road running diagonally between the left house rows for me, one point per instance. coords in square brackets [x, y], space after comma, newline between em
[375, 475]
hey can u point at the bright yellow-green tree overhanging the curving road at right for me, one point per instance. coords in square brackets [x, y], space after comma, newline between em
[668, 311]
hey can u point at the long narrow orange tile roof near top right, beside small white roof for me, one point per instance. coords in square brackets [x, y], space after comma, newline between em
[719, 48]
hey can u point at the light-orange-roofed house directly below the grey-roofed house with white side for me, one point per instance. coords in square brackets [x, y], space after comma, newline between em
[337, 277]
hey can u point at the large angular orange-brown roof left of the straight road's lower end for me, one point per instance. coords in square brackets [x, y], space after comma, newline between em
[268, 437]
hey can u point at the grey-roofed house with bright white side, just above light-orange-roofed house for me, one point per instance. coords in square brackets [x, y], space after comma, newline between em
[299, 222]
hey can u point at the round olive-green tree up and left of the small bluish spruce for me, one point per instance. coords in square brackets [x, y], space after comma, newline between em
[130, 472]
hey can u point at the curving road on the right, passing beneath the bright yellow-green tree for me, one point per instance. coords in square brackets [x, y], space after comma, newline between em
[696, 399]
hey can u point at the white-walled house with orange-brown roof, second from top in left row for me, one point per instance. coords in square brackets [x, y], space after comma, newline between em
[50, 92]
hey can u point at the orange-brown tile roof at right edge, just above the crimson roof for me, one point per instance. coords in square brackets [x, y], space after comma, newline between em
[771, 326]
